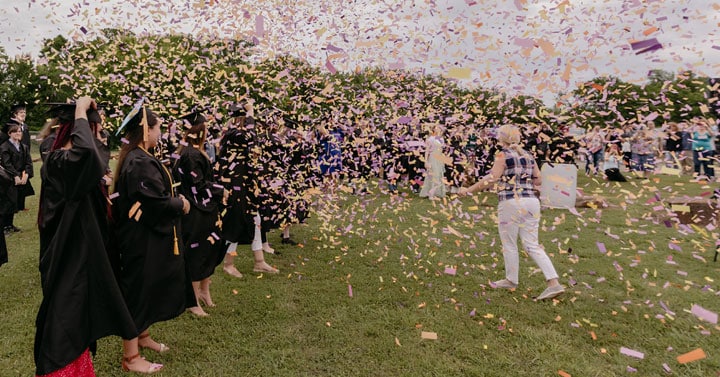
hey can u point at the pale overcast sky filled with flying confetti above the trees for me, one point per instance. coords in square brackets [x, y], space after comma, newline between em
[538, 48]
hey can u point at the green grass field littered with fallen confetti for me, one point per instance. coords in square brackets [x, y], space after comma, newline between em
[375, 272]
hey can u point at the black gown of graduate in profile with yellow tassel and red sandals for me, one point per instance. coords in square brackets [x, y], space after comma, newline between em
[147, 216]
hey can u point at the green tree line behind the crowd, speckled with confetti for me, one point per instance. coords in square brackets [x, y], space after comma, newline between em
[177, 73]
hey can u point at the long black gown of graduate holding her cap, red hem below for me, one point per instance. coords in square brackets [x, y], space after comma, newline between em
[82, 301]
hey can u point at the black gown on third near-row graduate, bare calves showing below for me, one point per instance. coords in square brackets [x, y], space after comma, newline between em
[204, 249]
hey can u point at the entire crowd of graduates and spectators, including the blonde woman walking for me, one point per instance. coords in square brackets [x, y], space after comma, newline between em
[181, 203]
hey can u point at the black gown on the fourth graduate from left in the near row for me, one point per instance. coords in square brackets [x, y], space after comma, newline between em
[235, 174]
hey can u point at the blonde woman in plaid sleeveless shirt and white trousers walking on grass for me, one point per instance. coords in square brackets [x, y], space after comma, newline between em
[517, 178]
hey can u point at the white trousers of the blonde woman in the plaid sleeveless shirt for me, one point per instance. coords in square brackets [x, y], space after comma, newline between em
[522, 215]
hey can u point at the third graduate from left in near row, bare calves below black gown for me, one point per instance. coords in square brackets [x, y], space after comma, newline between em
[204, 249]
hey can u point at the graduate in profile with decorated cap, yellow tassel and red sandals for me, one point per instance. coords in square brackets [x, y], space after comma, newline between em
[147, 214]
